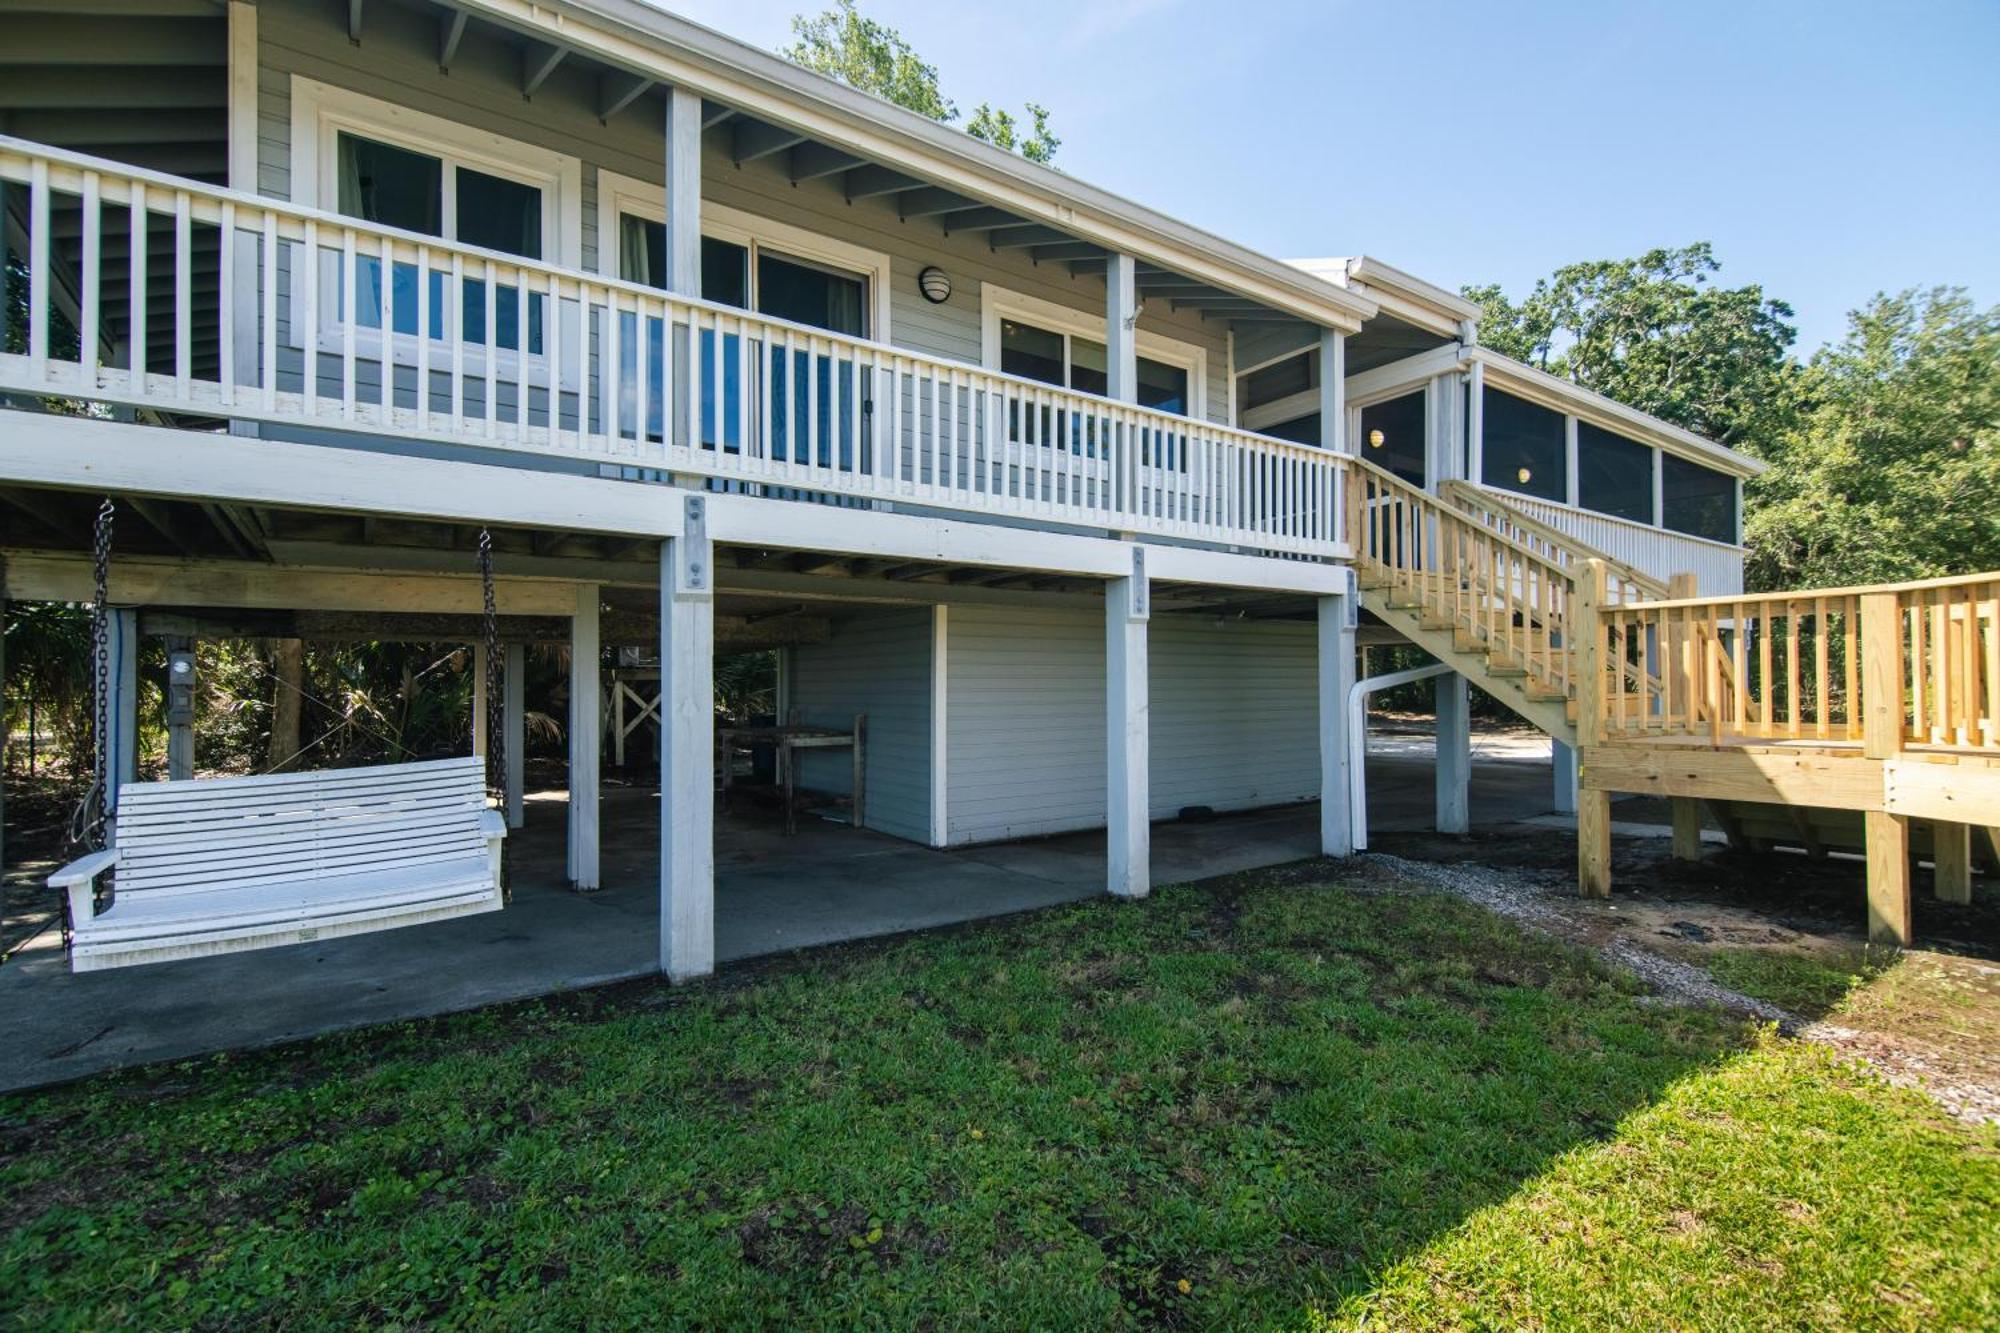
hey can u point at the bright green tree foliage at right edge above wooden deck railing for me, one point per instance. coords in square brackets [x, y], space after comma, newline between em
[1893, 467]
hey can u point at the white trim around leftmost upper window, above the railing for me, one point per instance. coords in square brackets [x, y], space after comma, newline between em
[321, 113]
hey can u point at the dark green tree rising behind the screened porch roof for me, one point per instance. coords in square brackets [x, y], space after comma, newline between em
[1655, 333]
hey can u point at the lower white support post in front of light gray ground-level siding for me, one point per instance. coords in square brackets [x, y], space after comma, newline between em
[1127, 734]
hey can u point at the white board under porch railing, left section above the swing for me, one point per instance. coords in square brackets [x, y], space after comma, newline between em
[187, 465]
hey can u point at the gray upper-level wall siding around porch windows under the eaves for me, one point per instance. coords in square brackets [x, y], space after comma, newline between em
[397, 61]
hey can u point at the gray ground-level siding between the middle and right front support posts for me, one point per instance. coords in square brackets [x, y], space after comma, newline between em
[1235, 714]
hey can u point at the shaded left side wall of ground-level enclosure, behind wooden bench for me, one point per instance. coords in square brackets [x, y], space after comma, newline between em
[877, 663]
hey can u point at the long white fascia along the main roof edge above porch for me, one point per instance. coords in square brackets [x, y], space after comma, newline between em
[671, 49]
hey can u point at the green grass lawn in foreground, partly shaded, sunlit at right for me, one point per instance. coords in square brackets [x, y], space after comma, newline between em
[1261, 1104]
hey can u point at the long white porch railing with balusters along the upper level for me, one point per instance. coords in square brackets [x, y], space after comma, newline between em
[185, 299]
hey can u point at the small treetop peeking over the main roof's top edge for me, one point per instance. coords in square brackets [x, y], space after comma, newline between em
[847, 45]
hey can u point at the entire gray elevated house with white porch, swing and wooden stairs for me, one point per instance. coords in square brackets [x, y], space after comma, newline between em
[1061, 521]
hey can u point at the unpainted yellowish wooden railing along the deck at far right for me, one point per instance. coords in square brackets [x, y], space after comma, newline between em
[1797, 668]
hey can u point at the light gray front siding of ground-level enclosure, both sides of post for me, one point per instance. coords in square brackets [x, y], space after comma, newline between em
[1235, 720]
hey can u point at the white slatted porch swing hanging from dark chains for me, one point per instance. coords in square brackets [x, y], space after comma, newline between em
[221, 866]
